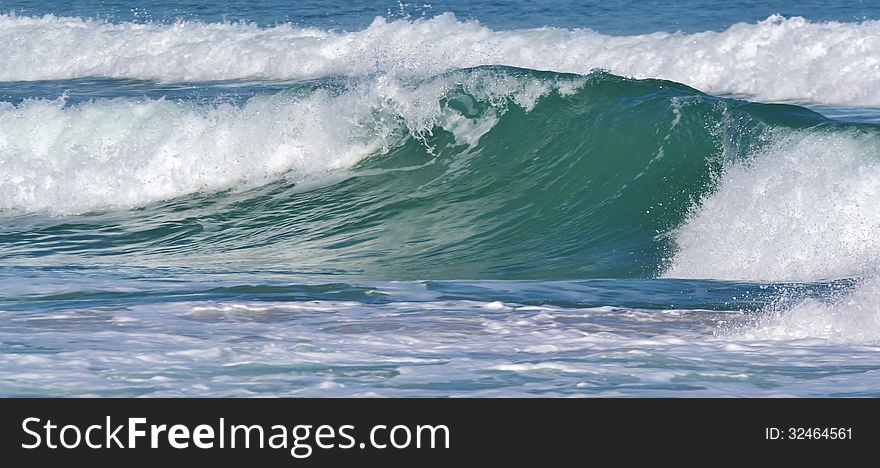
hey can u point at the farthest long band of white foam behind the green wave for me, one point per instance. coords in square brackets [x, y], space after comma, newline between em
[775, 59]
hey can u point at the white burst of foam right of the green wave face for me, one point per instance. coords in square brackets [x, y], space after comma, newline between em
[804, 208]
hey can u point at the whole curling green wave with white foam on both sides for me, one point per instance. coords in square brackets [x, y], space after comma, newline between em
[481, 173]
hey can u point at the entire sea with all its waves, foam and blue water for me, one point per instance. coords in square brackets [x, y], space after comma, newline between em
[269, 198]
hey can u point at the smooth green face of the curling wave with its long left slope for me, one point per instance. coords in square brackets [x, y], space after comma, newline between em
[585, 184]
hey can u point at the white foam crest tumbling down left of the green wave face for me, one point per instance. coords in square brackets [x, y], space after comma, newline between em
[121, 153]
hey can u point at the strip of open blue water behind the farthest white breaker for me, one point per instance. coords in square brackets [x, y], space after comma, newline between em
[610, 17]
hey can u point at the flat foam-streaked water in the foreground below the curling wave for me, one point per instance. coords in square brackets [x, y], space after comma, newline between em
[402, 348]
